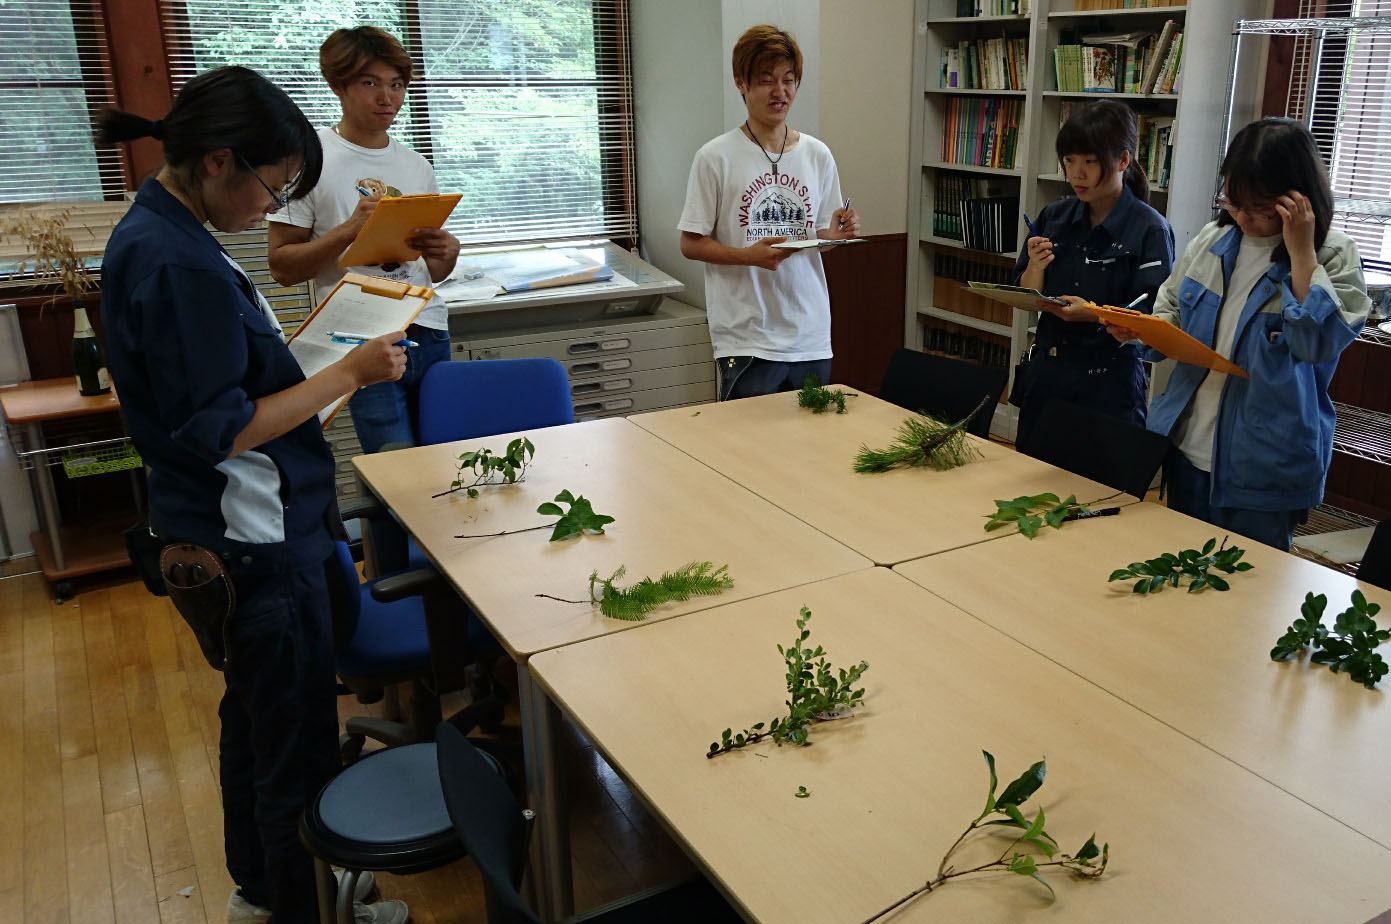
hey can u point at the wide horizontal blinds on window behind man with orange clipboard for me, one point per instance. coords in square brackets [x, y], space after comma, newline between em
[524, 106]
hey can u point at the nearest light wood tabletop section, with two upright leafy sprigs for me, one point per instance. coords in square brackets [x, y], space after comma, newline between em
[1193, 836]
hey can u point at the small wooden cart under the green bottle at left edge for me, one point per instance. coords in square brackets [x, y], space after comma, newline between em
[65, 552]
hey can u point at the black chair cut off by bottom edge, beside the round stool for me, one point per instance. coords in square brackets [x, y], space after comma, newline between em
[495, 830]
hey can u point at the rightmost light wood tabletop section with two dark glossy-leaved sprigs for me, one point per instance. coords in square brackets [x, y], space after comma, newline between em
[1198, 663]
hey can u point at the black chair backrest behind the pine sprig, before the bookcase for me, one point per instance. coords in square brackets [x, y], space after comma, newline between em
[947, 389]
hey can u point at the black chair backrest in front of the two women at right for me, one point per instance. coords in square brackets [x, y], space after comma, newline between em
[1100, 447]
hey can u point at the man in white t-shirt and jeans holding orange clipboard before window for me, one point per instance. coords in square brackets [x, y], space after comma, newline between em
[369, 72]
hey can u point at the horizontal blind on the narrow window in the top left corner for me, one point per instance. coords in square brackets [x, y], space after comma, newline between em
[55, 76]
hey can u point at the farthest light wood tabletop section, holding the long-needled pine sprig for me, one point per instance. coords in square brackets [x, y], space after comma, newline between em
[802, 463]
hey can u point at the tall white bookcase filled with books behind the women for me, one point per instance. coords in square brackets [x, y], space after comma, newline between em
[1198, 109]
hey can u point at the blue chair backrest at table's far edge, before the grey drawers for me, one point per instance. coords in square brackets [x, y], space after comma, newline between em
[485, 397]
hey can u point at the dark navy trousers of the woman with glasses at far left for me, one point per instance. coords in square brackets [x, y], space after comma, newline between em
[279, 742]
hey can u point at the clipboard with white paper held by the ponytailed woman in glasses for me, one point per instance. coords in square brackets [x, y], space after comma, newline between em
[360, 304]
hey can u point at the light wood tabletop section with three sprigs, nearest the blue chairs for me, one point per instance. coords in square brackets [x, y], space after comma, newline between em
[668, 511]
